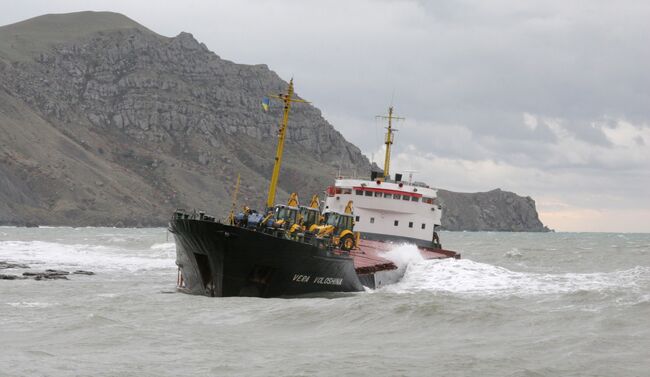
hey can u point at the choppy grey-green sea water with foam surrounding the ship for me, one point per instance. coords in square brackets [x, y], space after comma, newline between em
[516, 304]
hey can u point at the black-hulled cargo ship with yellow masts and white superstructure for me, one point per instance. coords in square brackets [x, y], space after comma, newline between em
[288, 249]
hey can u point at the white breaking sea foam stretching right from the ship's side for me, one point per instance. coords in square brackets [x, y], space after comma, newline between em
[473, 278]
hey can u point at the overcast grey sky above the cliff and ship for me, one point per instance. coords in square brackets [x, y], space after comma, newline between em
[548, 99]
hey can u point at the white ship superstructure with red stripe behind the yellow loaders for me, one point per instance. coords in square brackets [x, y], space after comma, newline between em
[388, 210]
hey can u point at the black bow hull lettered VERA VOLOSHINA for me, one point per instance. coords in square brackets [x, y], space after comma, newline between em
[215, 259]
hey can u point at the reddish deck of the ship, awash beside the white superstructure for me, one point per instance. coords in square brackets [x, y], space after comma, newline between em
[369, 256]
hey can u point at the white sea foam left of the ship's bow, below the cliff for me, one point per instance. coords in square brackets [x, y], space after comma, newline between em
[86, 257]
